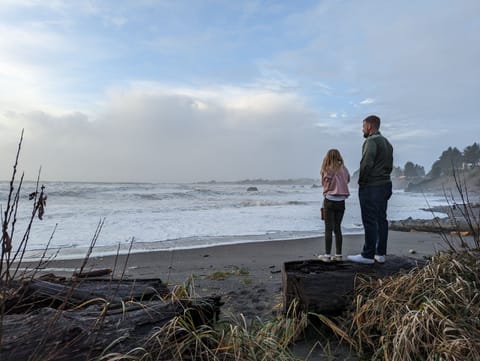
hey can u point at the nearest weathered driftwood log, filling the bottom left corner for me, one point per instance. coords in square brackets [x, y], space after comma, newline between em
[52, 334]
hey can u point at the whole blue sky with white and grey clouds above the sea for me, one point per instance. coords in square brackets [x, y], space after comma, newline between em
[199, 90]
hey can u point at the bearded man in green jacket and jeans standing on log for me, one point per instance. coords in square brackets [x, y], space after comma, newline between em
[374, 191]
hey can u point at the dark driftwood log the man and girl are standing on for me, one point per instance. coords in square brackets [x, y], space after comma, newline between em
[327, 288]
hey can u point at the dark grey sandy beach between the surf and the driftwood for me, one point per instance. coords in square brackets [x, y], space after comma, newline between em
[247, 276]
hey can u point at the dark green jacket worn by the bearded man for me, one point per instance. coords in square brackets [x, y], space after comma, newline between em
[377, 161]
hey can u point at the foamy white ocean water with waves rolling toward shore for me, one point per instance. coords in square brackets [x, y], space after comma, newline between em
[160, 216]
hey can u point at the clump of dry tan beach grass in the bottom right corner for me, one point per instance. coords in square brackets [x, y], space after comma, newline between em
[431, 313]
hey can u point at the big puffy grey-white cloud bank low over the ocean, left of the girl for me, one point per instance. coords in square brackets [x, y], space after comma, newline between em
[149, 132]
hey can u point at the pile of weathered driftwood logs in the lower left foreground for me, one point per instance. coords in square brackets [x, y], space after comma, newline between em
[73, 320]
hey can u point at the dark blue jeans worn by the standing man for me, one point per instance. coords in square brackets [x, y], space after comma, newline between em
[373, 205]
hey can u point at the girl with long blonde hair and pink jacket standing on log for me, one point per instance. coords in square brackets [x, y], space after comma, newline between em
[335, 178]
